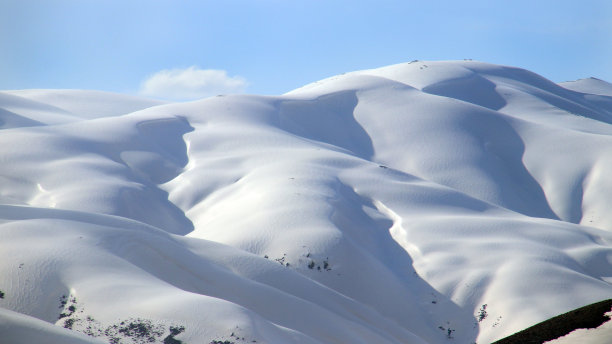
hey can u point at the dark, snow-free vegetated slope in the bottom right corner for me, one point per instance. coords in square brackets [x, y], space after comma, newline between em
[590, 316]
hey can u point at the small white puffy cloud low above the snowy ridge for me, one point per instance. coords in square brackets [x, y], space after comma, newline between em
[191, 83]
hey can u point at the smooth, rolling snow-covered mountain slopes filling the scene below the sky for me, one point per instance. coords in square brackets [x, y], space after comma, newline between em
[425, 202]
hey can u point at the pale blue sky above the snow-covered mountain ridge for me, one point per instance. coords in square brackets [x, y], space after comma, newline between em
[273, 46]
